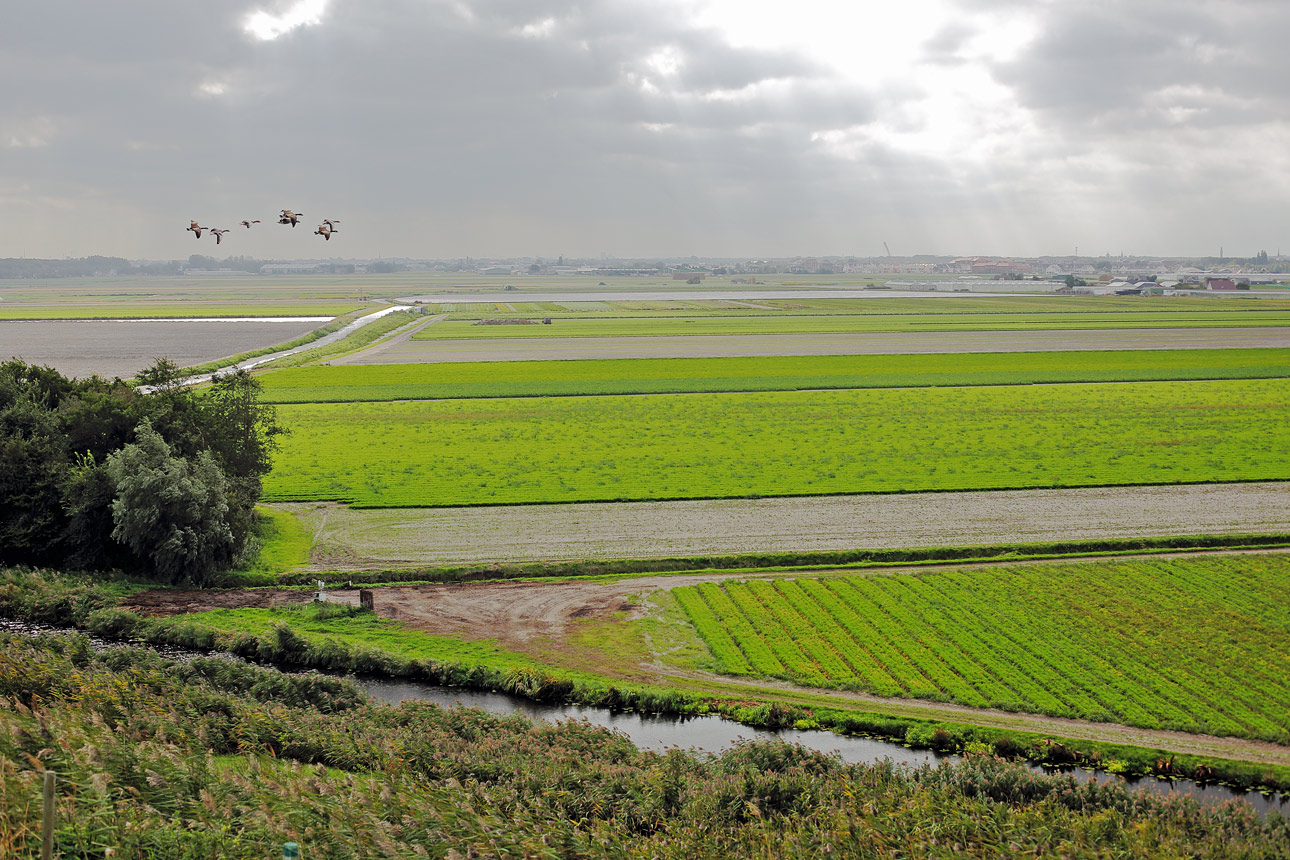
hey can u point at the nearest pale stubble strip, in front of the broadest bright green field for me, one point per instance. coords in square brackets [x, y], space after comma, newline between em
[350, 540]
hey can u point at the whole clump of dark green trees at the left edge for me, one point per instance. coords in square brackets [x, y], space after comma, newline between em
[101, 475]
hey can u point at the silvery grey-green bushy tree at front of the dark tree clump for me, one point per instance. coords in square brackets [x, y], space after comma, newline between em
[171, 511]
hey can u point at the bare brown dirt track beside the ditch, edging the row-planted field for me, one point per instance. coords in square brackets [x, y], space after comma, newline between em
[535, 617]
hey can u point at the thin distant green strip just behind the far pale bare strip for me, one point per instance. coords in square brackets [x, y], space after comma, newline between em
[634, 327]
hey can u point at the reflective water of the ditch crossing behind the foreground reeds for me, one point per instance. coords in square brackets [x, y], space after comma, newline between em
[705, 736]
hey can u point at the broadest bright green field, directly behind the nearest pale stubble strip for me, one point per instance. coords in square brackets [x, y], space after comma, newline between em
[723, 445]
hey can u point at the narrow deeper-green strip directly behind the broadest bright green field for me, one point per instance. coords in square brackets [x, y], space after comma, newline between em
[668, 376]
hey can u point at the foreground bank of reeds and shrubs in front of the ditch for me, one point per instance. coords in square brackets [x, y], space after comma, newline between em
[159, 759]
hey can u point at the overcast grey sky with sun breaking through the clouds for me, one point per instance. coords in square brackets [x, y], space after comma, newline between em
[724, 128]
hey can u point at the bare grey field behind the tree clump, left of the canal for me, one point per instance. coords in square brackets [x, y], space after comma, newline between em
[124, 347]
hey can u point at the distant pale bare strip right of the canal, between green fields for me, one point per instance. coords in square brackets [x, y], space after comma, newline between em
[406, 351]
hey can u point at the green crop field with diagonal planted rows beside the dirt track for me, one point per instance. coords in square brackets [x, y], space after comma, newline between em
[1196, 645]
